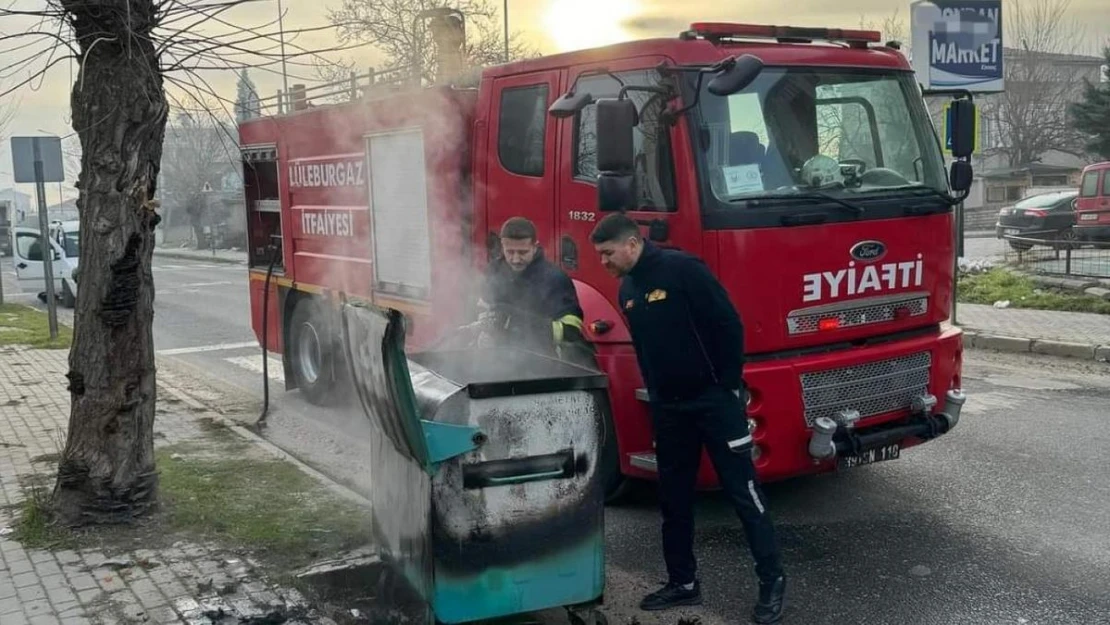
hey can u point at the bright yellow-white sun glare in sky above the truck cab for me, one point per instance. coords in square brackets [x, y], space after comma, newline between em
[574, 25]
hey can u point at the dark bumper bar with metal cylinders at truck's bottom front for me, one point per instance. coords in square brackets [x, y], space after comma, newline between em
[841, 439]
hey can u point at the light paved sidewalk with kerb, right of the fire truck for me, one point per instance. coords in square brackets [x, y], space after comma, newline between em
[1054, 326]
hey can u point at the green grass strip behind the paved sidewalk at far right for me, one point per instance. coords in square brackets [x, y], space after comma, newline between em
[1022, 293]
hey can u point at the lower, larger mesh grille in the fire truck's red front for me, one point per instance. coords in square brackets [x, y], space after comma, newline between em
[873, 389]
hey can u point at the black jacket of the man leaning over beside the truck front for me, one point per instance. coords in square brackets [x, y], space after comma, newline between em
[688, 335]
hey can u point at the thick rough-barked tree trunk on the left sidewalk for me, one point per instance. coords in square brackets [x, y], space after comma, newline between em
[107, 470]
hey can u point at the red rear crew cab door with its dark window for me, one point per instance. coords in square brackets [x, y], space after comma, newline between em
[522, 167]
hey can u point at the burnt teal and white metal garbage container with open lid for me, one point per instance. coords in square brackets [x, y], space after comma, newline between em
[487, 492]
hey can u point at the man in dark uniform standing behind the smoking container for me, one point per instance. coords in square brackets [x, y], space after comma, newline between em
[530, 303]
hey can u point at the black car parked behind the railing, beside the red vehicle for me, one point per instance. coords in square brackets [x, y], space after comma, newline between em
[1047, 217]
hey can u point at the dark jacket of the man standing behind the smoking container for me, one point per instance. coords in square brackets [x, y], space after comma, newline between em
[528, 303]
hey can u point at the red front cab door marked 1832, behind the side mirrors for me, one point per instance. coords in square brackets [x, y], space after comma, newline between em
[661, 153]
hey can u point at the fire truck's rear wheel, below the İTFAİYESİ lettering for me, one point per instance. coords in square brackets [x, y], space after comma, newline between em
[314, 352]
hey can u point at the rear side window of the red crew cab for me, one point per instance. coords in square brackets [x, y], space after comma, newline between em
[523, 123]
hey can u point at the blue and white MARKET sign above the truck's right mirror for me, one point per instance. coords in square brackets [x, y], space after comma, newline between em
[958, 45]
